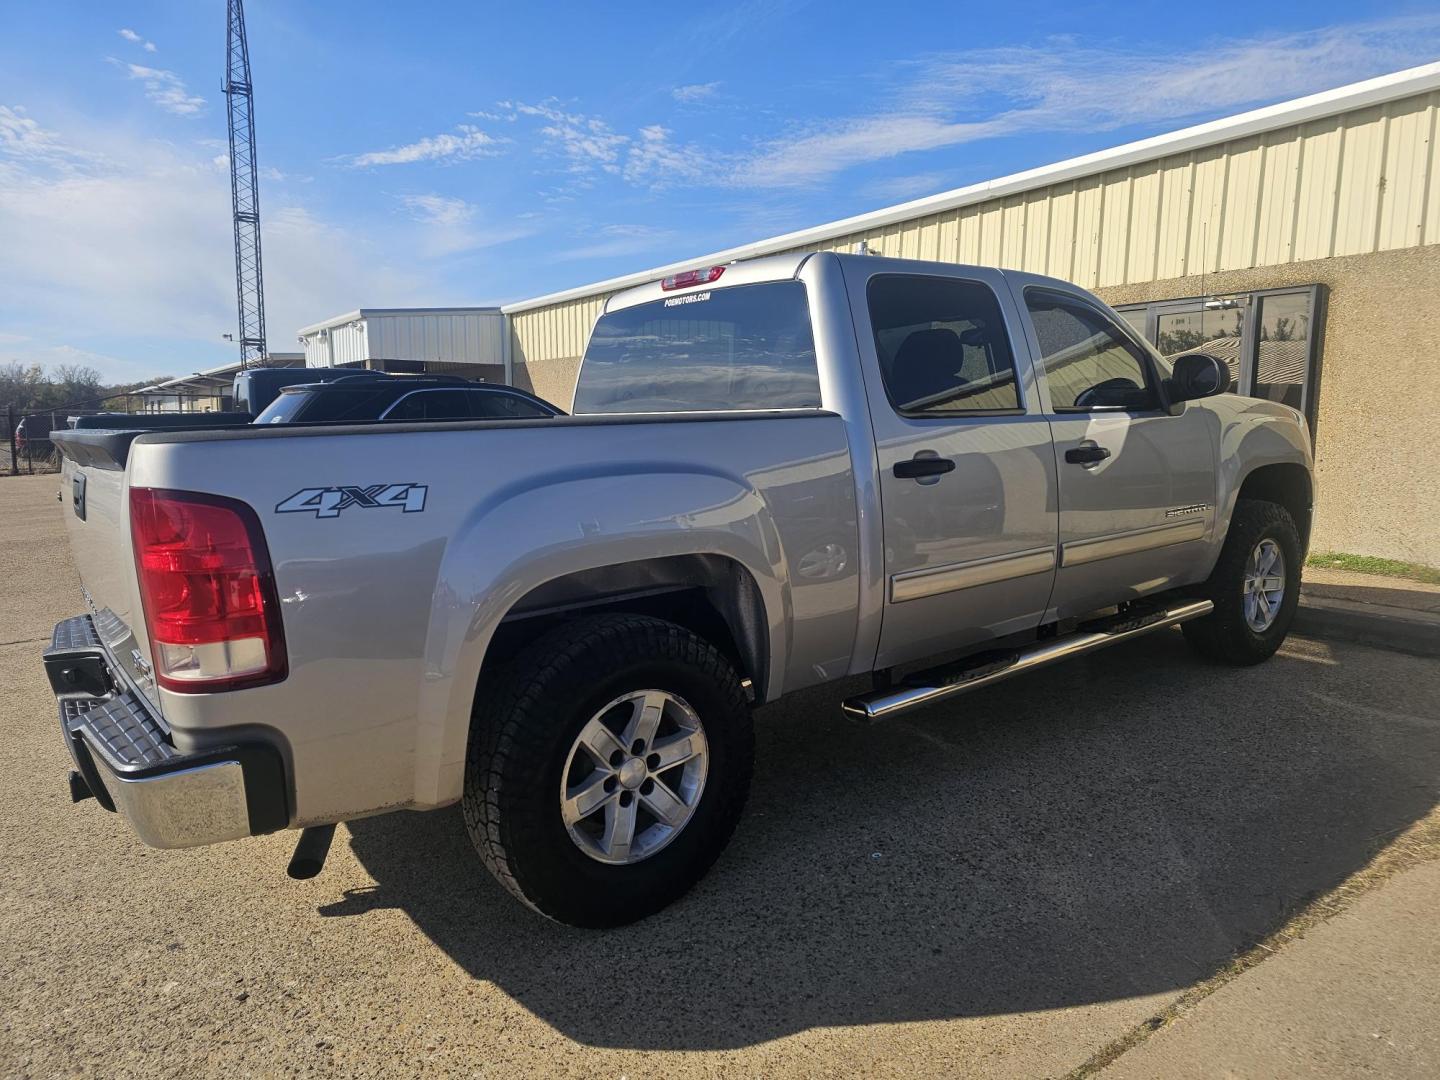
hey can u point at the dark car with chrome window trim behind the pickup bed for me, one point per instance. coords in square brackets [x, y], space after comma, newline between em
[401, 398]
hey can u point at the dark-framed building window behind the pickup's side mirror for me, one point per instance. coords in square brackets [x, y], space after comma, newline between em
[1269, 339]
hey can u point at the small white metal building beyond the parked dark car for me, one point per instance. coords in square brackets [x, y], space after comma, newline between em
[469, 342]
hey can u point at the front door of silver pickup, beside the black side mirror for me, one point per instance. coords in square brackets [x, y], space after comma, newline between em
[1137, 485]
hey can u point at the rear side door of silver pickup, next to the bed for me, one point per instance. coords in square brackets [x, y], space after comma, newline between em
[967, 467]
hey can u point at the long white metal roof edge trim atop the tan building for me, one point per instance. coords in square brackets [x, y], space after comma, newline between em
[1315, 107]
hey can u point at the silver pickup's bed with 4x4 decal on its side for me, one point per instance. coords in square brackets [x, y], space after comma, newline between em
[388, 608]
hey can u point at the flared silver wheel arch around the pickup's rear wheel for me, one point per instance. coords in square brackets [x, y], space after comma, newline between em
[721, 572]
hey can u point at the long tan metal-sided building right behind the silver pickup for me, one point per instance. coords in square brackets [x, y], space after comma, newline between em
[1301, 241]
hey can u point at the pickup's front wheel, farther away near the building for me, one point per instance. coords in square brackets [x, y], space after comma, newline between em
[1255, 587]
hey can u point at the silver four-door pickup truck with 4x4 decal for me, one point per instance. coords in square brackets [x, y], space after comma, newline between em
[780, 473]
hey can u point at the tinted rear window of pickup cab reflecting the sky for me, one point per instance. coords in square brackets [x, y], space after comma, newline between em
[742, 348]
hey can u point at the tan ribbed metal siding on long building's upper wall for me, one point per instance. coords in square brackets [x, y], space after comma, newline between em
[1362, 182]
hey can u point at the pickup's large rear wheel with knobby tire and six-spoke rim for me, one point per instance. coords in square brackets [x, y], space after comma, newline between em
[608, 768]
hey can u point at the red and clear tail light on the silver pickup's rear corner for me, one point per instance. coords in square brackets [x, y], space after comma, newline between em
[208, 591]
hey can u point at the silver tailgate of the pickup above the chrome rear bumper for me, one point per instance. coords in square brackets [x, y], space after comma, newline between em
[97, 521]
